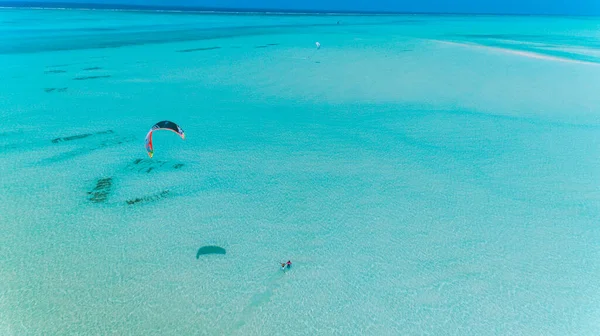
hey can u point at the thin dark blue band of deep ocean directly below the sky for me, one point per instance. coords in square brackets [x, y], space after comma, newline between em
[230, 10]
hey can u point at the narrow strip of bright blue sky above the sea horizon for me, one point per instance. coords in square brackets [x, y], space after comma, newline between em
[571, 7]
